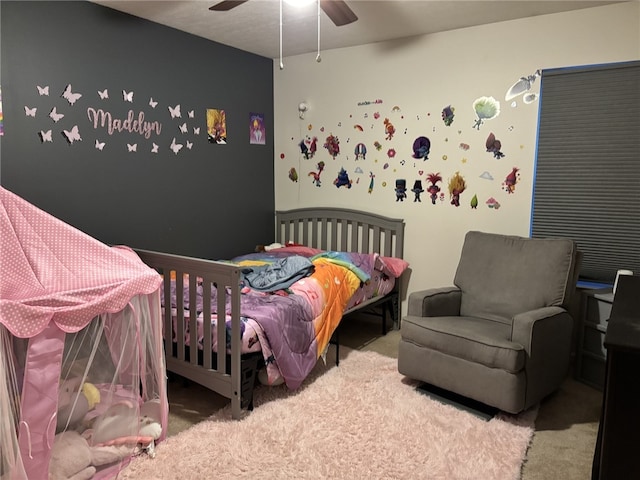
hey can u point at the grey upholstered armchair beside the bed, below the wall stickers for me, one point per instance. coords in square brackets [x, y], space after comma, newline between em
[502, 334]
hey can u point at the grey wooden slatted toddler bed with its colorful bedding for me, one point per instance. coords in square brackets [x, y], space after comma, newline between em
[281, 306]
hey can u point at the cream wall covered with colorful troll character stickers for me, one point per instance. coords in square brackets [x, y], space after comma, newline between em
[421, 76]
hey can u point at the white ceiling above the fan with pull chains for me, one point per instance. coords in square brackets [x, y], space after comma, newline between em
[255, 26]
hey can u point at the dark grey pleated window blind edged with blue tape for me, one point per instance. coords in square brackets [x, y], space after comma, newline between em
[587, 180]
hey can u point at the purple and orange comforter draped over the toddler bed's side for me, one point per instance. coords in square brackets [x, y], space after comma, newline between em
[296, 330]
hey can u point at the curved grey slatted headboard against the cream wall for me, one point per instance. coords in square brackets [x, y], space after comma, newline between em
[341, 229]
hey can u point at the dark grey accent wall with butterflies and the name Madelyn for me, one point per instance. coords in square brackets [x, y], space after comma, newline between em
[208, 200]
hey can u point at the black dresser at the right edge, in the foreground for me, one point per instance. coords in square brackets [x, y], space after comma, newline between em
[617, 453]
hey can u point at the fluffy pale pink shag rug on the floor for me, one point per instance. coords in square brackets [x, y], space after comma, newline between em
[361, 420]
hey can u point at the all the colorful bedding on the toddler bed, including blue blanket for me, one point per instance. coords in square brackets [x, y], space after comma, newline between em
[293, 323]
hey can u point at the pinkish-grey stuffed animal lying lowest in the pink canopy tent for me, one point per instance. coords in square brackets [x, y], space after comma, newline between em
[73, 459]
